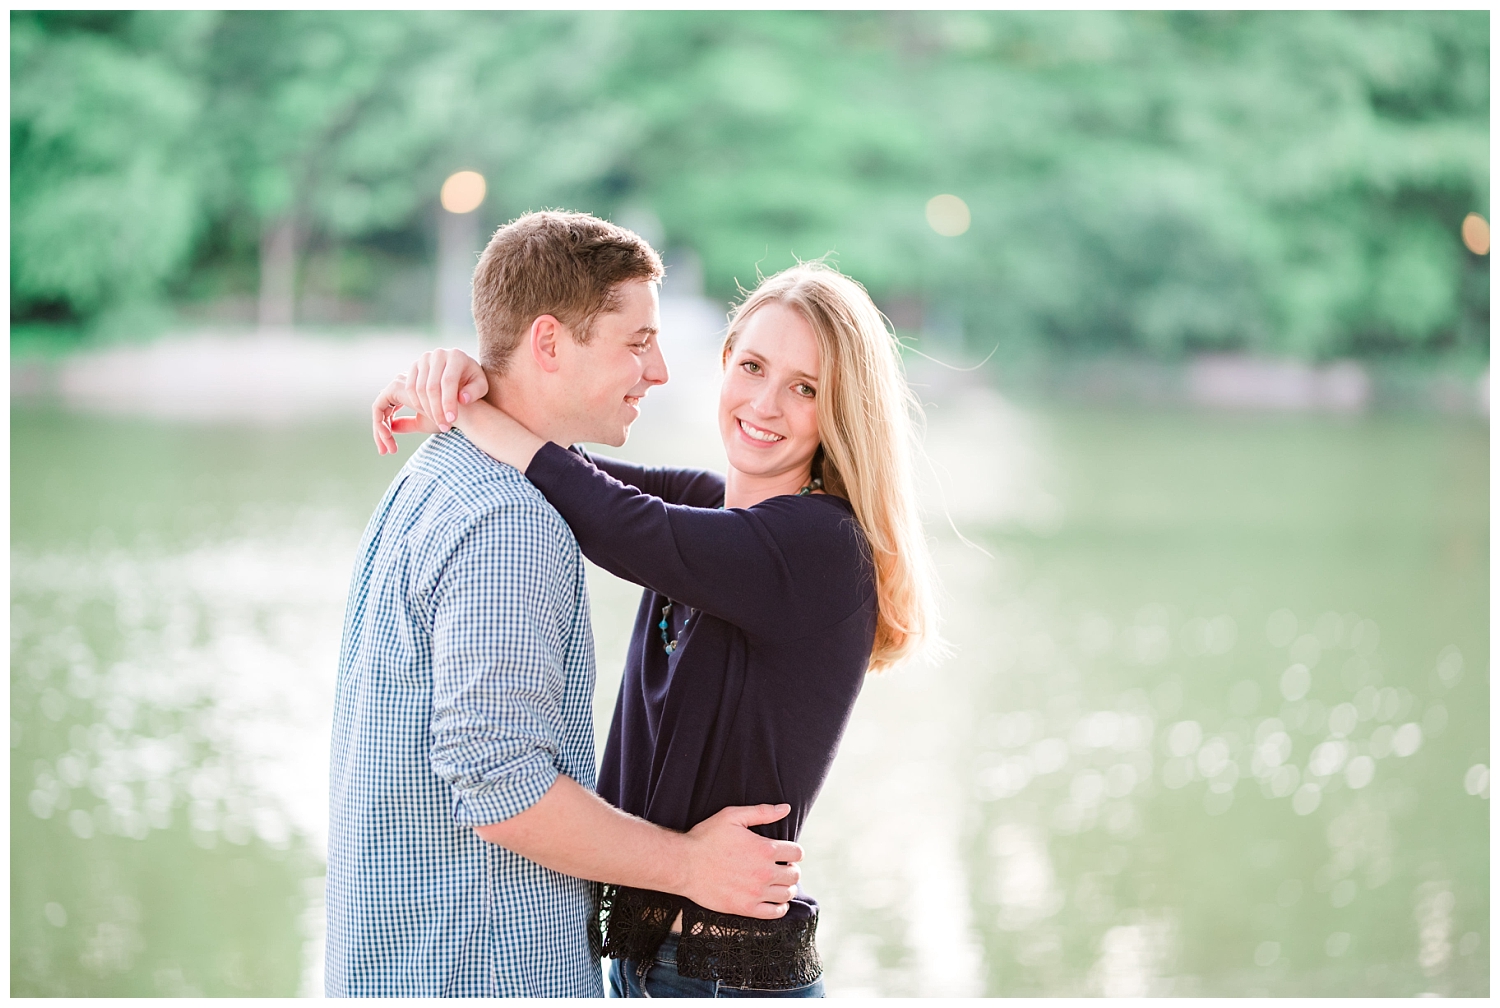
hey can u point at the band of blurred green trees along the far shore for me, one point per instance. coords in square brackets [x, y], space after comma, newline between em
[1160, 184]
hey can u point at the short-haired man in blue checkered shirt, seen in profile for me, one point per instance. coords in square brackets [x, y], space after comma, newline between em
[463, 818]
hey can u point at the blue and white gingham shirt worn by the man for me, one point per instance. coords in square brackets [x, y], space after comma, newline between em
[466, 685]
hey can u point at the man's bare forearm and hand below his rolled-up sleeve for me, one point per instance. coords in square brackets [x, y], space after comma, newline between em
[719, 865]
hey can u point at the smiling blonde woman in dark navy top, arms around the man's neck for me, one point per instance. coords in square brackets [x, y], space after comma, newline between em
[769, 595]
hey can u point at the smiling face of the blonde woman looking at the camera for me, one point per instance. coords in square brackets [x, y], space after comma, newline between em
[767, 404]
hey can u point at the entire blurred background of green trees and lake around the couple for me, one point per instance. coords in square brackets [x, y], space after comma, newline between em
[1208, 727]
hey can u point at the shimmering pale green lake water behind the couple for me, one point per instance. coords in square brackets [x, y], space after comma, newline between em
[1216, 719]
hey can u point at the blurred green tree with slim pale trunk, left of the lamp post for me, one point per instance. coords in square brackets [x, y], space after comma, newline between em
[323, 125]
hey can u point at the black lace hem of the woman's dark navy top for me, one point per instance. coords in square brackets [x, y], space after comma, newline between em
[739, 952]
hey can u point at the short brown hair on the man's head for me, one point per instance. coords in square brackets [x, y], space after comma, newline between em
[553, 263]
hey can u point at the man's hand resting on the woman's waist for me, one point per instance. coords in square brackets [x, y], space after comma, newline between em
[733, 871]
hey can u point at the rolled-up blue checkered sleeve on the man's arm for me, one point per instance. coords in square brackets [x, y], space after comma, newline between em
[499, 680]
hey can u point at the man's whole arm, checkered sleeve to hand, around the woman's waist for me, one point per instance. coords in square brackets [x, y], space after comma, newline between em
[499, 722]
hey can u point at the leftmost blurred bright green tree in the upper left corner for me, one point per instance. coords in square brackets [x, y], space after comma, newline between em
[104, 176]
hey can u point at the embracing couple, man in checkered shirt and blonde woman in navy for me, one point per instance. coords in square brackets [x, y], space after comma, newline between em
[473, 851]
